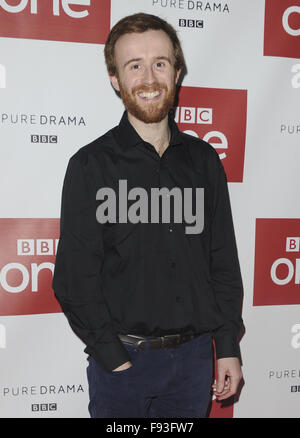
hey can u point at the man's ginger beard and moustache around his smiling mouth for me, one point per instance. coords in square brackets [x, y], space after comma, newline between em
[148, 110]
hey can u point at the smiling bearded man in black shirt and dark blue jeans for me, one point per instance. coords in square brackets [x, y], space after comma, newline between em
[148, 294]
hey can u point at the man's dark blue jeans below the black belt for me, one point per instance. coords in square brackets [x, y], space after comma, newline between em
[161, 383]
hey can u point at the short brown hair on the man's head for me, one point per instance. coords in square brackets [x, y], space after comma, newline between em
[139, 23]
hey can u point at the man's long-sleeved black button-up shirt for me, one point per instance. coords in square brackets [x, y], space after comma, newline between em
[146, 278]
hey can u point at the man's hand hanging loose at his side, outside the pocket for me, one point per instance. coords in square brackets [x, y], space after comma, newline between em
[229, 377]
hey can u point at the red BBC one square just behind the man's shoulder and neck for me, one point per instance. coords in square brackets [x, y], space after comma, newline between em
[218, 116]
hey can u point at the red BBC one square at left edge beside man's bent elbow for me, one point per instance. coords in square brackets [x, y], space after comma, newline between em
[27, 258]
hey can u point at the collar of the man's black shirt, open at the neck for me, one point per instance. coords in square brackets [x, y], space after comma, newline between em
[127, 136]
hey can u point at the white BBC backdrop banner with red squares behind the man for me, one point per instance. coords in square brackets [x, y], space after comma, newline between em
[241, 94]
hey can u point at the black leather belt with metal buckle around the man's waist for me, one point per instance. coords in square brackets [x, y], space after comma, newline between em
[167, 341]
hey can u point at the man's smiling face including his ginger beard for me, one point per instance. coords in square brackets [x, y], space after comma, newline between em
[146, 76]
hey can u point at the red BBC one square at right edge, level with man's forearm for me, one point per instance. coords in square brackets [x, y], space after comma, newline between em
[277, 262]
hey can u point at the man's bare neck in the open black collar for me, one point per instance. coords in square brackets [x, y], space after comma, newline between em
[157, 134]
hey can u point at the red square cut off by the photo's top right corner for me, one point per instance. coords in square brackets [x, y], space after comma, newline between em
[282, 28]
